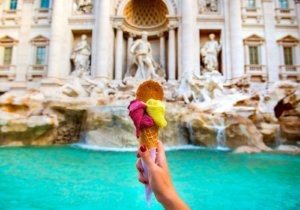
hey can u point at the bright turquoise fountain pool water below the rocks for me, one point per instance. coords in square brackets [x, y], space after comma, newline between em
[72, 178]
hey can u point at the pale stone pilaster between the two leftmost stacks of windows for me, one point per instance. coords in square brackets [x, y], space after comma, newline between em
[23, 60]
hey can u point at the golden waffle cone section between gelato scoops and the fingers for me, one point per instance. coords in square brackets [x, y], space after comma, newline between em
[149, 137]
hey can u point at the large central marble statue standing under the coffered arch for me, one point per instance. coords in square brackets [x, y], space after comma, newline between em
[145, 67]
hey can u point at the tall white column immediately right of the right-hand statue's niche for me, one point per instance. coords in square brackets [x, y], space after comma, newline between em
[236, 36]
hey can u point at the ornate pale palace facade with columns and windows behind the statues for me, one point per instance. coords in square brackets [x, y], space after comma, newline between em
[259, 39]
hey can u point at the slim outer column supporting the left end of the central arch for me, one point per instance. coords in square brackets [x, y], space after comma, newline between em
[119, 54]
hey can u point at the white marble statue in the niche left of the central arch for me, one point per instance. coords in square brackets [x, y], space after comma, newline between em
[81, 55]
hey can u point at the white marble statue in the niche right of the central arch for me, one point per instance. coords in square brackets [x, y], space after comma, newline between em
[209, 53]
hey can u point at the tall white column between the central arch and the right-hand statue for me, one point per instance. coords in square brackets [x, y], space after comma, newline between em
[188, 36]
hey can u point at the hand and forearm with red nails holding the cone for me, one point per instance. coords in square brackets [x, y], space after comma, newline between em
[159, 178]
